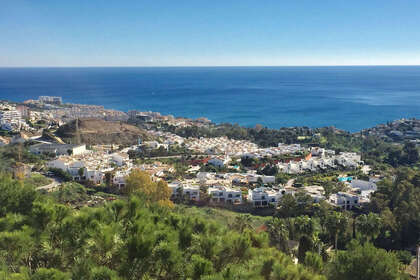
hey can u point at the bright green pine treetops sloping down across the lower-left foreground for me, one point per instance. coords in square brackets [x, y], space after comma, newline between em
[132, 239]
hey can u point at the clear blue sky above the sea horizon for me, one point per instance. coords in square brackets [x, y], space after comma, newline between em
[216, 32]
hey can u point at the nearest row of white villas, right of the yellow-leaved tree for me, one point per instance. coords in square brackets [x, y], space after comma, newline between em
[359, 191]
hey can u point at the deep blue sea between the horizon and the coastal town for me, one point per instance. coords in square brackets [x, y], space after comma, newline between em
[350, 98]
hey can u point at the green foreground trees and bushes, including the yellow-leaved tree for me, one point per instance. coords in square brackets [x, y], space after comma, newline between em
[143, 237]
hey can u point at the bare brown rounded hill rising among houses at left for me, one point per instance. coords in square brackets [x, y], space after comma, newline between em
[97, 131]
